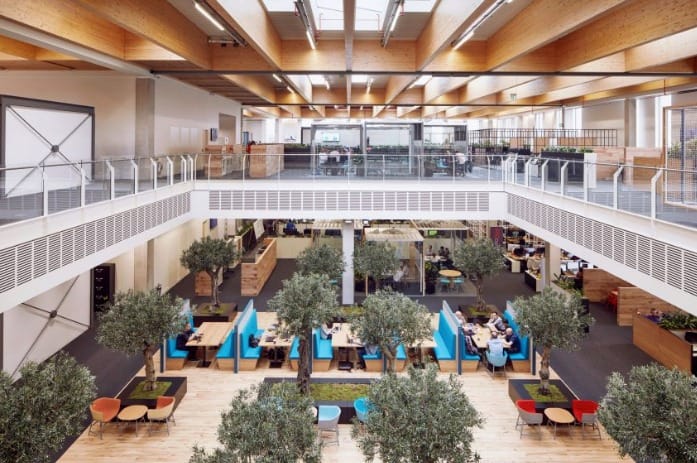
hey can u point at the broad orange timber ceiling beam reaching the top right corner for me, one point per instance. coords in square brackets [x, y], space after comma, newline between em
[641, 21]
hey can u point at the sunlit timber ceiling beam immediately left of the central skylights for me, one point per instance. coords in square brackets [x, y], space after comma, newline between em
[252, 23]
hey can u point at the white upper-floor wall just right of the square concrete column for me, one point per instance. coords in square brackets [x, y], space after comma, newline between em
[183, 112]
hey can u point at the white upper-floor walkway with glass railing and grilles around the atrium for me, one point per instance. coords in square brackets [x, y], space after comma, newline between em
[638, 223]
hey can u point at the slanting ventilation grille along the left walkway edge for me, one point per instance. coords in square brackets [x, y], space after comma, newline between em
[32, 259]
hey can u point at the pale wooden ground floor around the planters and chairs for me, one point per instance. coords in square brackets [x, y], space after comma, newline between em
[210, 391]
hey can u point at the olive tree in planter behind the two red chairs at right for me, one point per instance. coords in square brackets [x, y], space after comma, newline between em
[553, 319]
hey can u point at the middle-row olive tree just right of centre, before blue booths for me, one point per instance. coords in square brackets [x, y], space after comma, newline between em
[390, 318]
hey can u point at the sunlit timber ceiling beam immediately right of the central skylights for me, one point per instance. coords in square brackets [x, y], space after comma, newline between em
[448, 20]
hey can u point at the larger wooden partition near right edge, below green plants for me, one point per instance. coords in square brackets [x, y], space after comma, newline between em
[664, 346]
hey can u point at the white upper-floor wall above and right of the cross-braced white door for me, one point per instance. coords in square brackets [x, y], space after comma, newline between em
[111, 95]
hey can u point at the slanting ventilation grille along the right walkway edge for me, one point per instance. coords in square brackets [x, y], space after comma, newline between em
[666, 263]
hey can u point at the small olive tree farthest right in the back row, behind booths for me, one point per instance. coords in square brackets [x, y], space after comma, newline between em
[480, 258]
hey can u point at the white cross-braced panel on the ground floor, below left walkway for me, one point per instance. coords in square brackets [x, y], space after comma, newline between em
[22, 324]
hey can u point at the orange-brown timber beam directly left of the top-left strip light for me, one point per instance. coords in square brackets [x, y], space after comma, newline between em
[159, 22]
